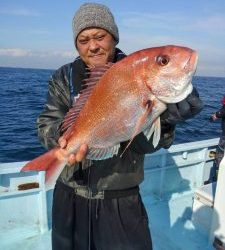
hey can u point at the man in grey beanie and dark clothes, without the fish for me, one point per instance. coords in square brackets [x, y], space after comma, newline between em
[96, 204]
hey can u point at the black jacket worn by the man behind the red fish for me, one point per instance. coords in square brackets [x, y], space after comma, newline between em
[110, 174]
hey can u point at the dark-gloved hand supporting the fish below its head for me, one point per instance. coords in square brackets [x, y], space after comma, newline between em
[181, 111]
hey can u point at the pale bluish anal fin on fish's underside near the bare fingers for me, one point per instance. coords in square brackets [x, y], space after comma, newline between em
[102, 153]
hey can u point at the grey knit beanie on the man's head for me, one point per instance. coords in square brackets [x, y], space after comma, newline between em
[94, 15]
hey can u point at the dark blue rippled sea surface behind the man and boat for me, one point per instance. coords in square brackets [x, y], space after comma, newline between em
[23, 95]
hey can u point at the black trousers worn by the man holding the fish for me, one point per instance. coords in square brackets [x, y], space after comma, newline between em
[98, 224]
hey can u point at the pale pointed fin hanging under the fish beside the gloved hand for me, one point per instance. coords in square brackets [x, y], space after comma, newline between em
[156, 129]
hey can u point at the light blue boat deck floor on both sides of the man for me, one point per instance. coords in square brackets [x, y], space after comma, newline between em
[170, 224]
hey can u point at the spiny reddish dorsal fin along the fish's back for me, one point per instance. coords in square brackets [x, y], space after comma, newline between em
[93, 76]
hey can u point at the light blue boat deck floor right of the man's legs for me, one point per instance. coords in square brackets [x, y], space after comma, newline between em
[171, 225]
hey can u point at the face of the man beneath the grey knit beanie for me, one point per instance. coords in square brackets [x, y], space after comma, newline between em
[95, 46]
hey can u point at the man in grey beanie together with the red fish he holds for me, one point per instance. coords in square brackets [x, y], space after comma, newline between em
[96, 201]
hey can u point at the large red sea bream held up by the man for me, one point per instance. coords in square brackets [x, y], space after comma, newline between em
[120, 101]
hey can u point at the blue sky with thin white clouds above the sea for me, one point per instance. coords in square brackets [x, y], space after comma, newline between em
[38, 34]
